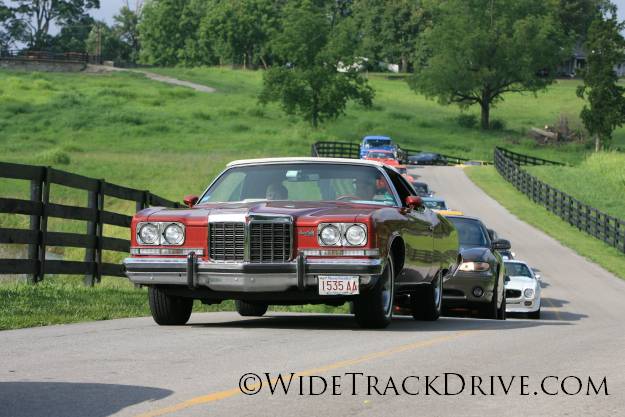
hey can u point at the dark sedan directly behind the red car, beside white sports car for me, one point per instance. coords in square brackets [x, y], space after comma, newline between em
[478, 283]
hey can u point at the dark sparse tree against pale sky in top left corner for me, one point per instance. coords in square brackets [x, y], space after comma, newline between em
[36, 17]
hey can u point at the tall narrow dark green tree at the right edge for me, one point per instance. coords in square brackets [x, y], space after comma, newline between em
[606, 105]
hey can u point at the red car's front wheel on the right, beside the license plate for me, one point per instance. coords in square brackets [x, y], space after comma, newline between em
[374, 308]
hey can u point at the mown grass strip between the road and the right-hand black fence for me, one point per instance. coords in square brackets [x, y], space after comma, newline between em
[518, 204]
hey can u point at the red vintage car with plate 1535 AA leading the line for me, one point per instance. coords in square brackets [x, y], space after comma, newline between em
[295, 231]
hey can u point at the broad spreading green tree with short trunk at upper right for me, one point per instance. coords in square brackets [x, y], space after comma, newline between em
[478, 50]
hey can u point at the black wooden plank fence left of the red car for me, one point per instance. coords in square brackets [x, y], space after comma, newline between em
[40, 209]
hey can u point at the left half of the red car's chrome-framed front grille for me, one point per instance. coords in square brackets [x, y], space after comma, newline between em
[226, 241]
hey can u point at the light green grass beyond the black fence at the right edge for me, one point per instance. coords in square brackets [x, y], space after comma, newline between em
[598, 181]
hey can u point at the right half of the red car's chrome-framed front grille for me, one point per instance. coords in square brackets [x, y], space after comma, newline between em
[270, 242]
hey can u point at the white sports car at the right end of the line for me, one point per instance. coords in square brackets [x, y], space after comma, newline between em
[522, 290]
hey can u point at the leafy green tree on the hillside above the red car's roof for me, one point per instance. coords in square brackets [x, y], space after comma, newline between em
[308, 49]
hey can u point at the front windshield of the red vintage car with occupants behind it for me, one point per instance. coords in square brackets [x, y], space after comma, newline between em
[301, 182]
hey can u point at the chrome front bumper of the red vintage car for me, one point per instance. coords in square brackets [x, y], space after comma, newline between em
[300, 274]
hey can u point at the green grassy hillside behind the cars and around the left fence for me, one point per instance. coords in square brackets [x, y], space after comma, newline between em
[171, 140]
